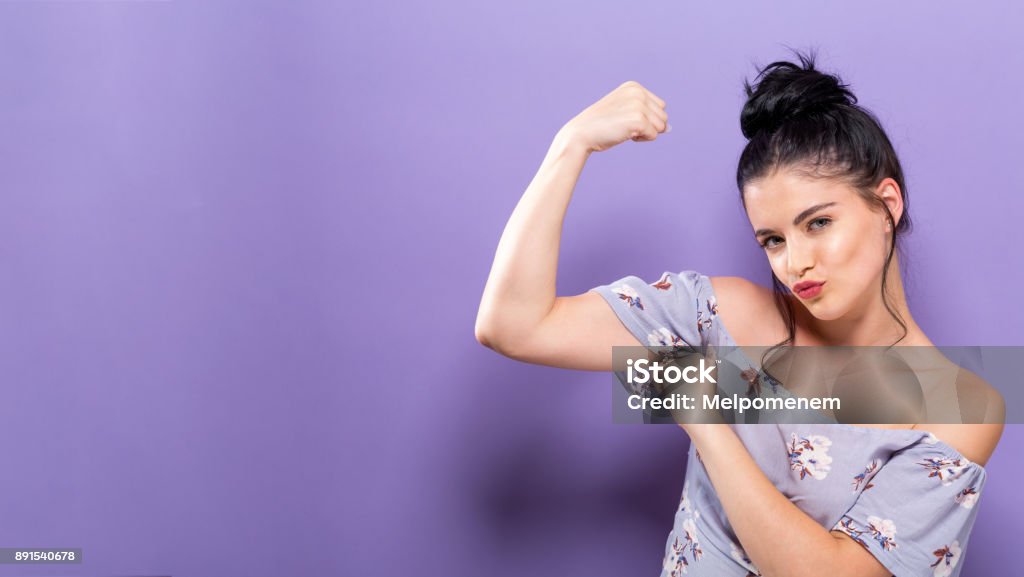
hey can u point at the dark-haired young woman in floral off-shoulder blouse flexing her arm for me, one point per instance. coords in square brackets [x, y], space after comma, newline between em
[825, 195]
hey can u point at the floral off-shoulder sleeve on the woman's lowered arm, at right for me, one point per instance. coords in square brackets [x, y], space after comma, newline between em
[915, 515]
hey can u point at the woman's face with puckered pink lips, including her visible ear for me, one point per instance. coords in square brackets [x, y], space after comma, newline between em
[822, 231]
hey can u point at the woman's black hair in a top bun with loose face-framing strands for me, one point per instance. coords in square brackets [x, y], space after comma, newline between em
[801, 119]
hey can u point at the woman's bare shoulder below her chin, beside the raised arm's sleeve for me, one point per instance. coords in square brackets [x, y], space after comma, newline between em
[748, 311]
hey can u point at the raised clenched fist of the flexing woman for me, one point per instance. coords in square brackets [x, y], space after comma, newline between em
[629, 112]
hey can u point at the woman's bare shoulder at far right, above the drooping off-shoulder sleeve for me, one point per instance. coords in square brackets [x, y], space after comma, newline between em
[984, 406]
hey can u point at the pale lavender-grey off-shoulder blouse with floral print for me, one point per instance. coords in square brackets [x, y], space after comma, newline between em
[906, 497]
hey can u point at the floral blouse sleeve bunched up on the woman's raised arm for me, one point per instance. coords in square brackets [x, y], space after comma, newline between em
[678, 310]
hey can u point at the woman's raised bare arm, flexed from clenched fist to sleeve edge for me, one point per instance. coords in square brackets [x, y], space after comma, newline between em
[520, 315]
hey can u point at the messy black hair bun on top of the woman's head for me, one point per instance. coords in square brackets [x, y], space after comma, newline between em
[786, 91]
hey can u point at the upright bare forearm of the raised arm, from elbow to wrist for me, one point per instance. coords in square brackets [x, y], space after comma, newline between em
[521, 288]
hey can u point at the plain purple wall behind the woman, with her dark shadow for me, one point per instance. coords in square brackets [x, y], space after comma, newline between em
[243, 246]
